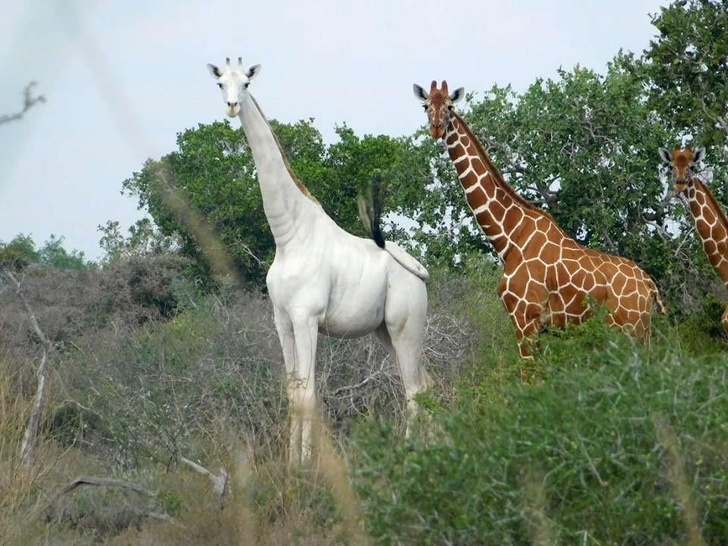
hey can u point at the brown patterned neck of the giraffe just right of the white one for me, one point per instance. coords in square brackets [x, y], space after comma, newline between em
[497, 208]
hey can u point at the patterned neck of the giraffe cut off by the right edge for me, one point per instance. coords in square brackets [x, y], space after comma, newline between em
[711, 224]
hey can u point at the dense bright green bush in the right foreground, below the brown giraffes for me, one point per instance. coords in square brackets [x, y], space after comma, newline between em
[583, 457]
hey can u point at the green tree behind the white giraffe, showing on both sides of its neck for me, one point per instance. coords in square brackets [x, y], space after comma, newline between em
[214, 173]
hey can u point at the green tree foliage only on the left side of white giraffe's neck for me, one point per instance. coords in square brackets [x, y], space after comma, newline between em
[213, 173]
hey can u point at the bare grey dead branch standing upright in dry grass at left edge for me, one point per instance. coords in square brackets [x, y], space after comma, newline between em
[30, 439]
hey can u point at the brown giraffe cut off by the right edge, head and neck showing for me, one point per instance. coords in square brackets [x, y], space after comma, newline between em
[709, 217]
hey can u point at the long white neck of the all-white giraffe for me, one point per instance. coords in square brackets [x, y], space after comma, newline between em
[282, 192]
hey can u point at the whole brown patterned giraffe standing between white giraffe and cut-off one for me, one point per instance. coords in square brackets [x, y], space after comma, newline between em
[548, 278]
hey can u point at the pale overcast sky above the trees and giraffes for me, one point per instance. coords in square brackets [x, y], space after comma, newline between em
[121, 79]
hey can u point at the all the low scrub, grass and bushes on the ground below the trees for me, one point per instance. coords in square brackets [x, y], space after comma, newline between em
[611, 442]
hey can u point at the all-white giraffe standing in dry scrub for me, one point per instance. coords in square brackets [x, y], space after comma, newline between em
[322, 278]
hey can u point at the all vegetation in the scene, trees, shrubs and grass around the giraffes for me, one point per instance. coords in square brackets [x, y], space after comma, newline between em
[164, 416]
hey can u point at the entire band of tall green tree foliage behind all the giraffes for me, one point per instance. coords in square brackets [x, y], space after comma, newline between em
[581, 144]
